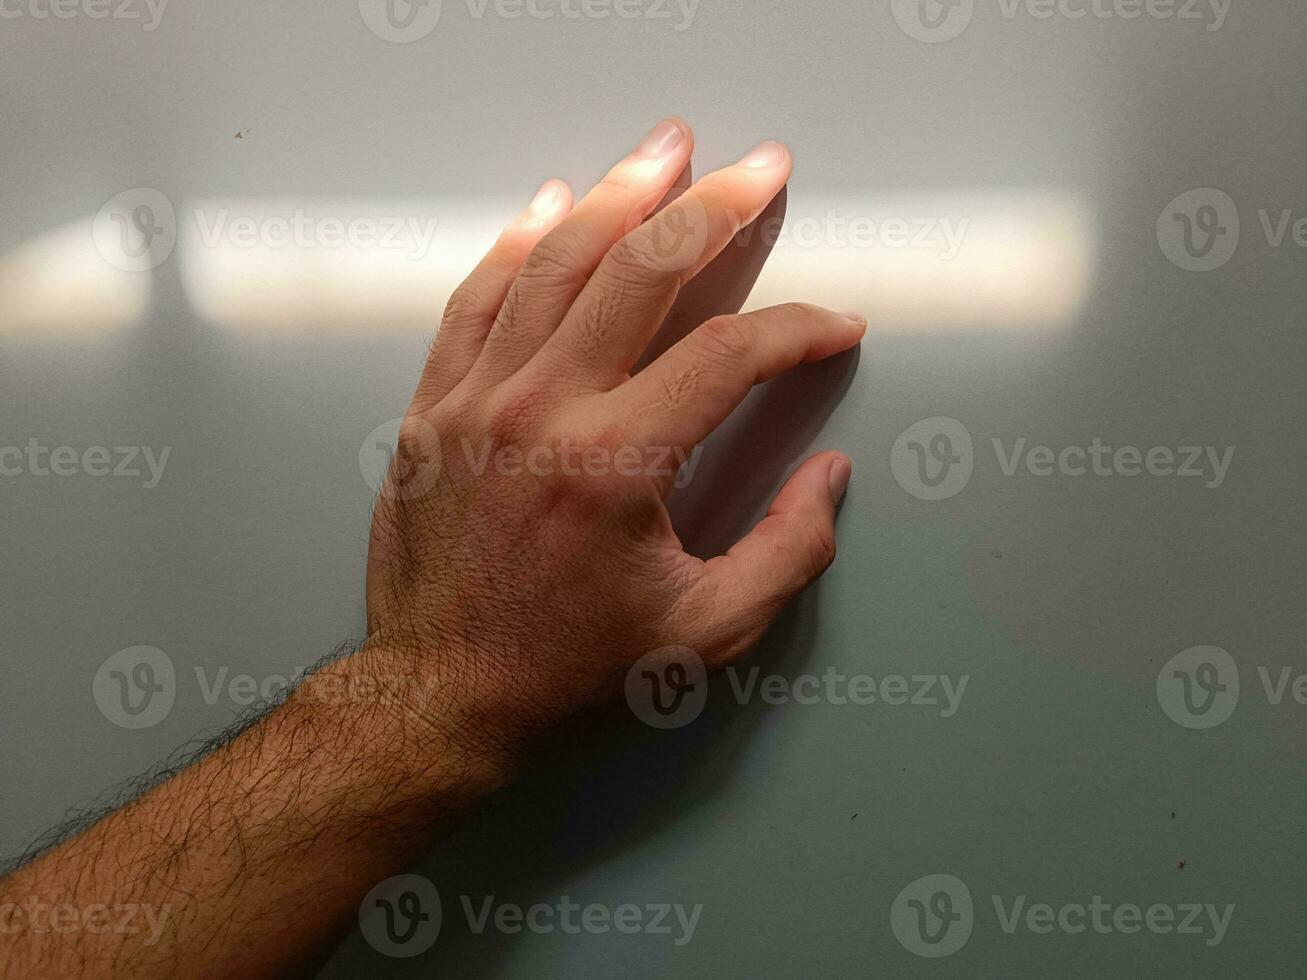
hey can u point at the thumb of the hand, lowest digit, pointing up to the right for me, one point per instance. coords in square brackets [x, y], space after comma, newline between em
[750, 586]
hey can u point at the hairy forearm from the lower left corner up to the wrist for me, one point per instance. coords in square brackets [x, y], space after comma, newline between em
[271, 840]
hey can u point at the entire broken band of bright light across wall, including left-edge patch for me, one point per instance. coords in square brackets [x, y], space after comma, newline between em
[940, 262]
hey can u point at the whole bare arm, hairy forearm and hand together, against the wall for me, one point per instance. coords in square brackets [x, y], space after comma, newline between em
[522, 561]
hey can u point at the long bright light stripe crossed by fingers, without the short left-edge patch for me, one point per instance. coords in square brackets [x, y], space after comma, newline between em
[939, 262]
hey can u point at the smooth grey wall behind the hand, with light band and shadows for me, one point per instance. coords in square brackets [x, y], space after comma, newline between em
[1044, 717]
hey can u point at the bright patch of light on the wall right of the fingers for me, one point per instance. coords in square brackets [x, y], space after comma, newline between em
[946, 262]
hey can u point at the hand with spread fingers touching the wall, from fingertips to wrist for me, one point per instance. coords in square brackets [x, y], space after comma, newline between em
[521, 548]
